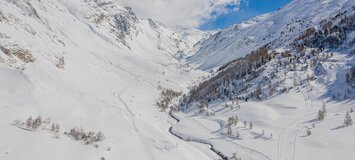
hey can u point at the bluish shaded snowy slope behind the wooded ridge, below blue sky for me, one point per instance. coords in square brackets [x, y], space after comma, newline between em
[273, 29]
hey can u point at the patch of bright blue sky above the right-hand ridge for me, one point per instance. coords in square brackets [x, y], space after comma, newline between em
[246, 11]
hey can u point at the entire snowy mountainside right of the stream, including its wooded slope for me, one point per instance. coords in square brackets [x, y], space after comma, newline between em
[290, 96]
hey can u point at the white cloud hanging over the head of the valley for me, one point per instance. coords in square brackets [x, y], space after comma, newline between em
[191, 13]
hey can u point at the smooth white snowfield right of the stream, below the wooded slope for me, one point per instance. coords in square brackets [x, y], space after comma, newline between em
[286, 117]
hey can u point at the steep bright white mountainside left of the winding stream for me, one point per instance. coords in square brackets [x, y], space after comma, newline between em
[89, 63]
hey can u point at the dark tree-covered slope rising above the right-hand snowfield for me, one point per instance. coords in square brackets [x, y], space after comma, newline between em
[272, 70]
